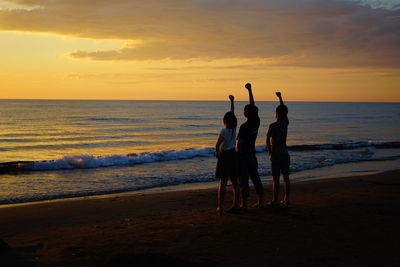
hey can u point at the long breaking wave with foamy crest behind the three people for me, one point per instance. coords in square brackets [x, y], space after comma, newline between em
[85, 161]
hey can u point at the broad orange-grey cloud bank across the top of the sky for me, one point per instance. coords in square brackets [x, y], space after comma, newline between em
[305, 33]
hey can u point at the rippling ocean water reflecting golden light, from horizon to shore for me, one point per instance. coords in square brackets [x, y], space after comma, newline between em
[52, 149]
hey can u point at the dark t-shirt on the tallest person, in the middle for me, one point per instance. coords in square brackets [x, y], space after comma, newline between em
[248, 135]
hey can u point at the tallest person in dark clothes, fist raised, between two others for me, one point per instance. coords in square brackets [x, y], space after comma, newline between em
[247, 152]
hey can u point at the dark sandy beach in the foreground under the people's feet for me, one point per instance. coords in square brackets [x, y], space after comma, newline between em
[338, 222]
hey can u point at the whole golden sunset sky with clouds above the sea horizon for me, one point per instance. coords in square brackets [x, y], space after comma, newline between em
[312, 50]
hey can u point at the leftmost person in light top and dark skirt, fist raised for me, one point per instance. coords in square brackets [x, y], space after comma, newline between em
[227, 165]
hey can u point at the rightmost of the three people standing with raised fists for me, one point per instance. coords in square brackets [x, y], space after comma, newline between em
[279, 156]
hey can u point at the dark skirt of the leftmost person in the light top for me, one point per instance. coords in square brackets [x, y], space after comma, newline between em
[227, 165]
